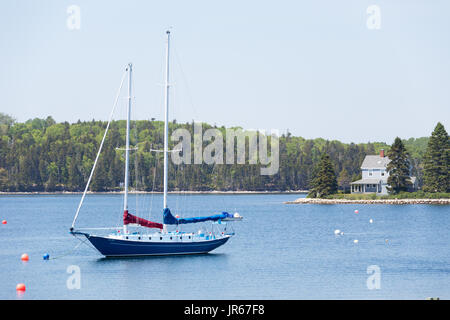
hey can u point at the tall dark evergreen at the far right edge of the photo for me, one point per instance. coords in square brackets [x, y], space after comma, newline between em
[437, 162]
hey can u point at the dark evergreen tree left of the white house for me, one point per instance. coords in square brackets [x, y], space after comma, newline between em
[324, 182]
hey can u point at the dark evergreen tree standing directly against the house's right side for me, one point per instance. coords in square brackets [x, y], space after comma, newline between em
[398, 168]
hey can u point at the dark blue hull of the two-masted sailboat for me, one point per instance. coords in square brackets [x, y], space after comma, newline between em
[123, 248]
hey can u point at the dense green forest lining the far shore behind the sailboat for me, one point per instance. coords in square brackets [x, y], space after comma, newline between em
[42, 155]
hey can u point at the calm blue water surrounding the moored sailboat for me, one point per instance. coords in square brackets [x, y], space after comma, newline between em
[280, 251]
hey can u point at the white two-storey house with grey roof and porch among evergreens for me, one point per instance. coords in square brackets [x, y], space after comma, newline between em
[374, 175]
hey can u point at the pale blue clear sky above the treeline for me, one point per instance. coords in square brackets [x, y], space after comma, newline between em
[332, 69]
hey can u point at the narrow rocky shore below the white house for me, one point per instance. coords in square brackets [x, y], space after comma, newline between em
[376, 201]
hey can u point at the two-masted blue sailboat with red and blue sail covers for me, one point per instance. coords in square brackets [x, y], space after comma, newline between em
[123, 242]
